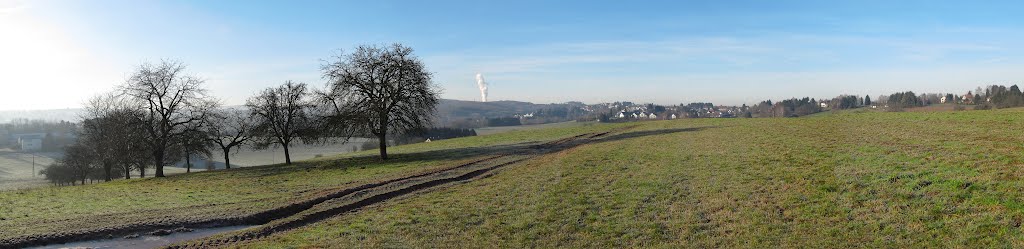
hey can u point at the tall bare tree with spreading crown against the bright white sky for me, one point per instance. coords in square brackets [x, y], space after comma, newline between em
[170, 102]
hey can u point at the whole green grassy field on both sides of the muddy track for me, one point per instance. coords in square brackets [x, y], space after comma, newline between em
[844, 180]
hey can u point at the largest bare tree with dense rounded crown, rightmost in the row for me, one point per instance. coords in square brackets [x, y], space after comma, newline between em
[377, 91]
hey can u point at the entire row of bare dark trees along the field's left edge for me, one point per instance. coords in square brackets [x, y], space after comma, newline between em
[162, 115]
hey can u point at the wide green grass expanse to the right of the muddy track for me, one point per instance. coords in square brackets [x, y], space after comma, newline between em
[846, 180]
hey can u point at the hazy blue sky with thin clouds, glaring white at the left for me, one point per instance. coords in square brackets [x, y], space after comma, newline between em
[56, 55]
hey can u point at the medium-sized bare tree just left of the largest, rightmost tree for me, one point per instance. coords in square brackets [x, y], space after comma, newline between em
[282, 116]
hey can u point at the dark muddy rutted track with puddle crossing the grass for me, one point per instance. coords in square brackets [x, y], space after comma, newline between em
[304, 213]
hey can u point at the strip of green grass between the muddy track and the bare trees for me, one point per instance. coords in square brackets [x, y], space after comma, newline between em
[237, 191]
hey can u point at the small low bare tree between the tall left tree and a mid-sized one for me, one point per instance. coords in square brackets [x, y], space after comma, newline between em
[230, 130]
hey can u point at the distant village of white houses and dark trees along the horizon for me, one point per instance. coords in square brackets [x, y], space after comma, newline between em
[994, 97]
